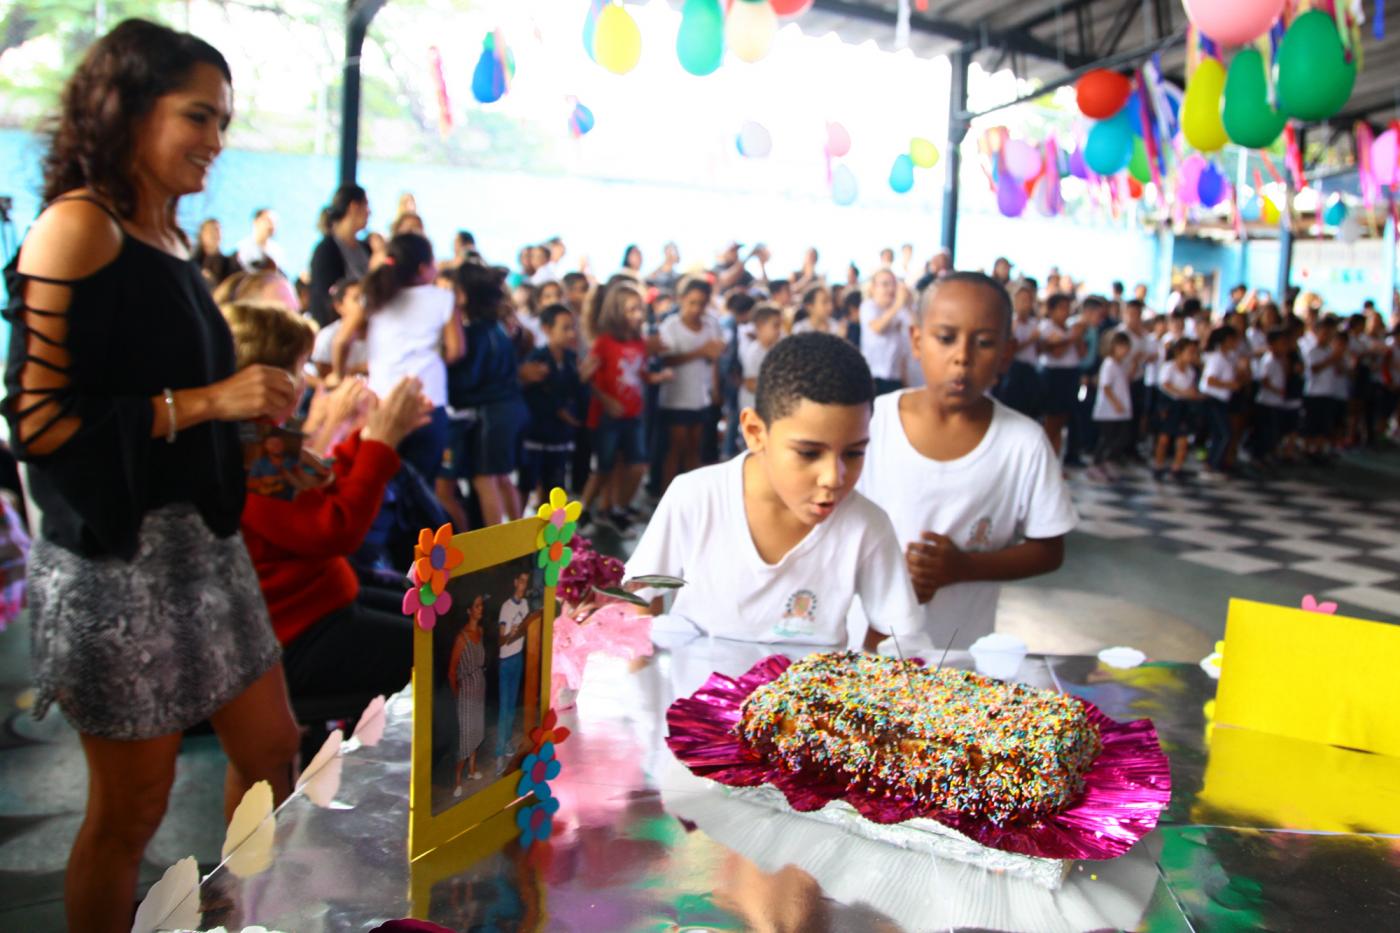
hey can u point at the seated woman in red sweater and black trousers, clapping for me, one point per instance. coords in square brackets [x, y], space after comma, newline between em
[341, 647]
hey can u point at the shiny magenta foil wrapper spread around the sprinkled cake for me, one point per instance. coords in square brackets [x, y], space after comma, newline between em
[1126, 789]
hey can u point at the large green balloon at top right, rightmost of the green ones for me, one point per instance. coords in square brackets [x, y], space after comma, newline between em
[1312, 75]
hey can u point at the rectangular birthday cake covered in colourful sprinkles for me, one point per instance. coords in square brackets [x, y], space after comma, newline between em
[954, 740]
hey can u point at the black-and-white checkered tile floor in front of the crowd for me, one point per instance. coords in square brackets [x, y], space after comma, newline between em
[1314, 539]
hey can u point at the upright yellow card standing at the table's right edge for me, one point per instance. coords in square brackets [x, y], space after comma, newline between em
[1322, 679]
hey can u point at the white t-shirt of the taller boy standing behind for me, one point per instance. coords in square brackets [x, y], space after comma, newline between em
[1006, 490]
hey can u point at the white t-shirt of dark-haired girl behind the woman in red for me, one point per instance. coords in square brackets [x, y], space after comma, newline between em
[405, 338]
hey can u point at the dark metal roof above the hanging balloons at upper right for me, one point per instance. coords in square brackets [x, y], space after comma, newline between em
[1046, 40]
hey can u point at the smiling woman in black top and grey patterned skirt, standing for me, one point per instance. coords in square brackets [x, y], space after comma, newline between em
[122, 399]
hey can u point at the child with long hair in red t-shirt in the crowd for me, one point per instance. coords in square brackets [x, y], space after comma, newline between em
[619, 364]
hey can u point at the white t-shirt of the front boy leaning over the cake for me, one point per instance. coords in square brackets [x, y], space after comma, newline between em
[701, 533]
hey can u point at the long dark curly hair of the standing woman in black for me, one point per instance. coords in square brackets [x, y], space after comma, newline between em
[118, 83]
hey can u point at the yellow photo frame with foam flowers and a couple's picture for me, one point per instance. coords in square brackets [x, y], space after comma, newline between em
[482, 652]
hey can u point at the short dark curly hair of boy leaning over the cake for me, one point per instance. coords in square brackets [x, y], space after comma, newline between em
[818, 368]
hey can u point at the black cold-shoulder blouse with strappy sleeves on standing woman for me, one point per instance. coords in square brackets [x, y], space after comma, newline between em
[141, 324]
